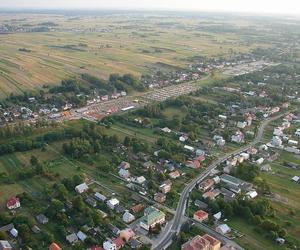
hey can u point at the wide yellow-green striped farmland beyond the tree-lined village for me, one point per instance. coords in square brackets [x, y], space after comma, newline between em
[105, 44]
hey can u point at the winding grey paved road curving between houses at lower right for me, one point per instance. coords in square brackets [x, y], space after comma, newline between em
[174, 226]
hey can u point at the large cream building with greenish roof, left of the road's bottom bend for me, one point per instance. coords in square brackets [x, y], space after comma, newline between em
[152, 217]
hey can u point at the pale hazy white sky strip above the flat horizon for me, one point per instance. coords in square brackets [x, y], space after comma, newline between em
[261, 6]
